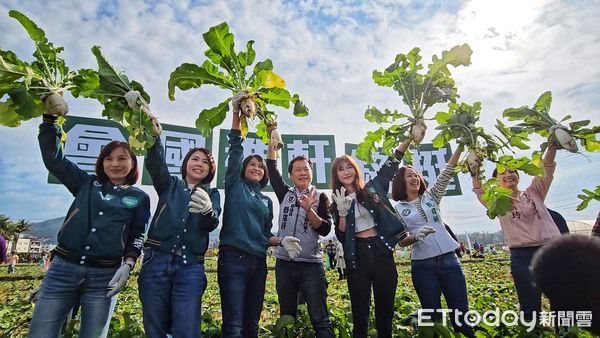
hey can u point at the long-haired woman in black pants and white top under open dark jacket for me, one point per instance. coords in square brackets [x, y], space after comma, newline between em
[369, 229]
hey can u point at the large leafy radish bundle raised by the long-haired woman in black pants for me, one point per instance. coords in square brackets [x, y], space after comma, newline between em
[418, 90]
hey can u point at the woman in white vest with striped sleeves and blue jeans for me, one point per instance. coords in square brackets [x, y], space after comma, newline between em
[435, 269]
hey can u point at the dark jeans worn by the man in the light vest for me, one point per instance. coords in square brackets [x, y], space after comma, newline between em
[308, 278]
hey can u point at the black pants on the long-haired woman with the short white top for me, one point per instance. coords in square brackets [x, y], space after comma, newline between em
[375, 269]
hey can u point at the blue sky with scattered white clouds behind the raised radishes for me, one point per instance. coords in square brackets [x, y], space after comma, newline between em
[326, 51]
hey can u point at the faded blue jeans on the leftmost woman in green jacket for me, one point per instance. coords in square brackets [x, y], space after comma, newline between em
[64, 284]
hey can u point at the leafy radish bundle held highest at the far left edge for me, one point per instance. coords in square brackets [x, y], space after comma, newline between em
[38, 87]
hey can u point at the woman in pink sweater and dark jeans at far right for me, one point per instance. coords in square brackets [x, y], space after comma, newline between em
[526, 227]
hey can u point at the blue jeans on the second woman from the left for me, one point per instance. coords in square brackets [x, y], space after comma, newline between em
[171, 294]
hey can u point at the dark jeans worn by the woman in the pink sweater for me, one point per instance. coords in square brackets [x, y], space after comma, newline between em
[530, 297]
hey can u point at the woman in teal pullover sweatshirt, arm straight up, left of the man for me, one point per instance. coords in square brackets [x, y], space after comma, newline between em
[245, 236]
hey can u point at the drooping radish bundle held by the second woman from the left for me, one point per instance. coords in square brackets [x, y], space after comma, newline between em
[125, 102]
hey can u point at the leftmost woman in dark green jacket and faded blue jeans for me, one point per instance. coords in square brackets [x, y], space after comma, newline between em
[99, 240]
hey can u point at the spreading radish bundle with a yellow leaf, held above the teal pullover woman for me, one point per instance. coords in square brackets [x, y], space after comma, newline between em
[227, 69]
